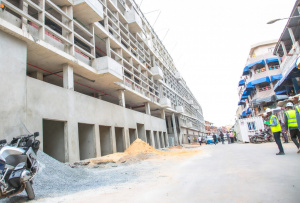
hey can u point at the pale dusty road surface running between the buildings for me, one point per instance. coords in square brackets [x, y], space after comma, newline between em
[221, 173]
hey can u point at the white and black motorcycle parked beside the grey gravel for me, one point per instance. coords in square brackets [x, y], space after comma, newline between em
[18, 165]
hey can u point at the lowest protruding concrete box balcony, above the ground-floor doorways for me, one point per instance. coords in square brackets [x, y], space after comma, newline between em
[107, 66]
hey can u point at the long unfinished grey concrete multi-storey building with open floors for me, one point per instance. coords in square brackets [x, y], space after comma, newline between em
[91, 76]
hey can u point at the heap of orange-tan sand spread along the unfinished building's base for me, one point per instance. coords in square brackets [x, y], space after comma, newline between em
[140, 150]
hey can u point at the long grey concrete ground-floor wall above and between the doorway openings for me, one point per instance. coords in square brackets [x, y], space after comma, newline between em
[47, 101]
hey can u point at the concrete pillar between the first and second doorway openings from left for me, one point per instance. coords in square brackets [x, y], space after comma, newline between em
[71, 141]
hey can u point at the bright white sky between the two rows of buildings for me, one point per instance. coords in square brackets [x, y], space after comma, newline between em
[210, 41]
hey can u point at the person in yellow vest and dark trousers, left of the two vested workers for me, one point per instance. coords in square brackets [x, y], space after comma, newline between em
[275, 128]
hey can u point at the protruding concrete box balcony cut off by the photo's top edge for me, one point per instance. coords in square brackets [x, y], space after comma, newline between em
[88, 11]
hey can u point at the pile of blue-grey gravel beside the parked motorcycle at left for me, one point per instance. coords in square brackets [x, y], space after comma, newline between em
[56, 179]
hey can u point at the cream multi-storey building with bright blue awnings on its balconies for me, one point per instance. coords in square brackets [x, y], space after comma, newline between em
[256, 87]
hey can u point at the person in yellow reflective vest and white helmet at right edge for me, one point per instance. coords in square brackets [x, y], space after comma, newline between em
[291, 124]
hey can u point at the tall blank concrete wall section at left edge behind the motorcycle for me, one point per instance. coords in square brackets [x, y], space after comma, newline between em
[13, 58]
